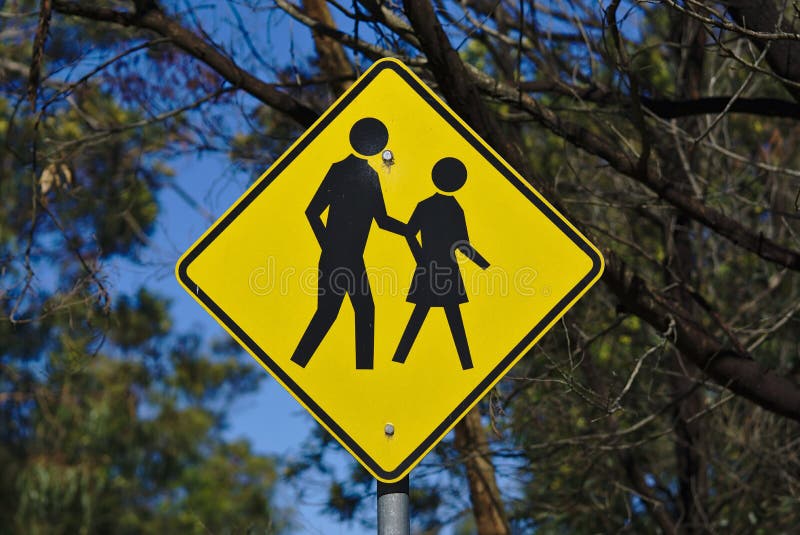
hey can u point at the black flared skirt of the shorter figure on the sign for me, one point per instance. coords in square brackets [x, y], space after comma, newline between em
[435, 284]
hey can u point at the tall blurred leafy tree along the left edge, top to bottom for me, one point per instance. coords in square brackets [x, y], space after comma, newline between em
[110, 420]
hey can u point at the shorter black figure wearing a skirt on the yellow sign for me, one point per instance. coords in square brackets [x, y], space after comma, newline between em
[437, 280]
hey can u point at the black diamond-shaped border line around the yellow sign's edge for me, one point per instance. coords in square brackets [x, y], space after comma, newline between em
[501, 368]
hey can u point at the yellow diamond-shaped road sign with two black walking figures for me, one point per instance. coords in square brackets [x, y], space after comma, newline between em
[389, 269]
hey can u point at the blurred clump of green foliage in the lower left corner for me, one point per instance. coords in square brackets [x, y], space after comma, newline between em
[132, 443]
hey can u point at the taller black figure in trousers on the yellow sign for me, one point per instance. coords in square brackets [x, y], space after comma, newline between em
[351, 191]
